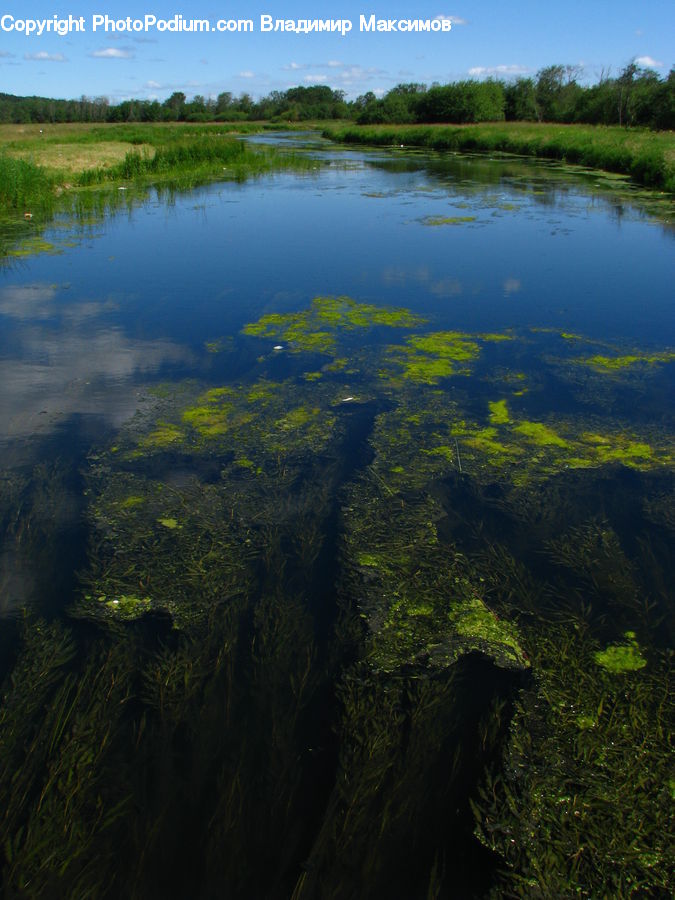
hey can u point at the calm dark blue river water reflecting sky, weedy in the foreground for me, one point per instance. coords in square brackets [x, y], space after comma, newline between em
[224, 675]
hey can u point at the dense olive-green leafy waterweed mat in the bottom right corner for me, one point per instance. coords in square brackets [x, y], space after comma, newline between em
[577, 803]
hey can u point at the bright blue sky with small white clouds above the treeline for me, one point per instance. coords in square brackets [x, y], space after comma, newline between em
[488, 37]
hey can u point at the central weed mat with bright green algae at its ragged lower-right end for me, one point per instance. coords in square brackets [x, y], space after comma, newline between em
[421, 605]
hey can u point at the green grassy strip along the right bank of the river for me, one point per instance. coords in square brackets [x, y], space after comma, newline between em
[648, 157]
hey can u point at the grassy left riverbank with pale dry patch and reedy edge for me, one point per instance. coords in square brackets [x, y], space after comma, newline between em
[84, 169]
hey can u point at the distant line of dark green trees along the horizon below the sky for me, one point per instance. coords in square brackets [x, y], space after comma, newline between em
[636, 97]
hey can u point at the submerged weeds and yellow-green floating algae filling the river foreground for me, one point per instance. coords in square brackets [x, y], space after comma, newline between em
[345, 627]
